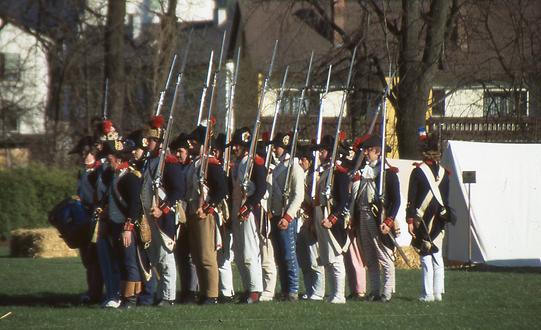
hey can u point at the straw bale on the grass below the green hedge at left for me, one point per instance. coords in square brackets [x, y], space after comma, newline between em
[39, 243]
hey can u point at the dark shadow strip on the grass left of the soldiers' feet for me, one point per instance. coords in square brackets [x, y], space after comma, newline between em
[45, 299]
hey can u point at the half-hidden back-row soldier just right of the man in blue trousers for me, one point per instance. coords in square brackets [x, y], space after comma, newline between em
[307, 247]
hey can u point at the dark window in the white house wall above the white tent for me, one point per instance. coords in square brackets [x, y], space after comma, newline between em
[502, 103]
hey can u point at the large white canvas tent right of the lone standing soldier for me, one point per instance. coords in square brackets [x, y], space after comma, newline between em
[505, 202]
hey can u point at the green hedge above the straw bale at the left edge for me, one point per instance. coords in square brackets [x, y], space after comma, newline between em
[28, 194]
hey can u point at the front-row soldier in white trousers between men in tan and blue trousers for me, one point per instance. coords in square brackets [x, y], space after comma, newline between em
[245, 213]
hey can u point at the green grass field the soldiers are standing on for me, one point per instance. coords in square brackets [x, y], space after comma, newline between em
[44, 294]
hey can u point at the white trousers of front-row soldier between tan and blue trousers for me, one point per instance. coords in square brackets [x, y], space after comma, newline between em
[247, 254]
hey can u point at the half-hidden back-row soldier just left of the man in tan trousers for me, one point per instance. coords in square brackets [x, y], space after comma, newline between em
[188, 274]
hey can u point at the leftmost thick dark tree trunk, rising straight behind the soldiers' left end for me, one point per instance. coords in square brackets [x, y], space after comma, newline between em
[114, 60]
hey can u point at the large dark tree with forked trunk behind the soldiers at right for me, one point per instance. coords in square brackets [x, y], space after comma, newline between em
[413, 34]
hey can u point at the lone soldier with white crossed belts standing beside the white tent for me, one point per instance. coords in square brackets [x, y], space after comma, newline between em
[427, 213]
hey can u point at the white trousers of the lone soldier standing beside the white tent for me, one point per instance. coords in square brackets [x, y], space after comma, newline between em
[433, 274]
